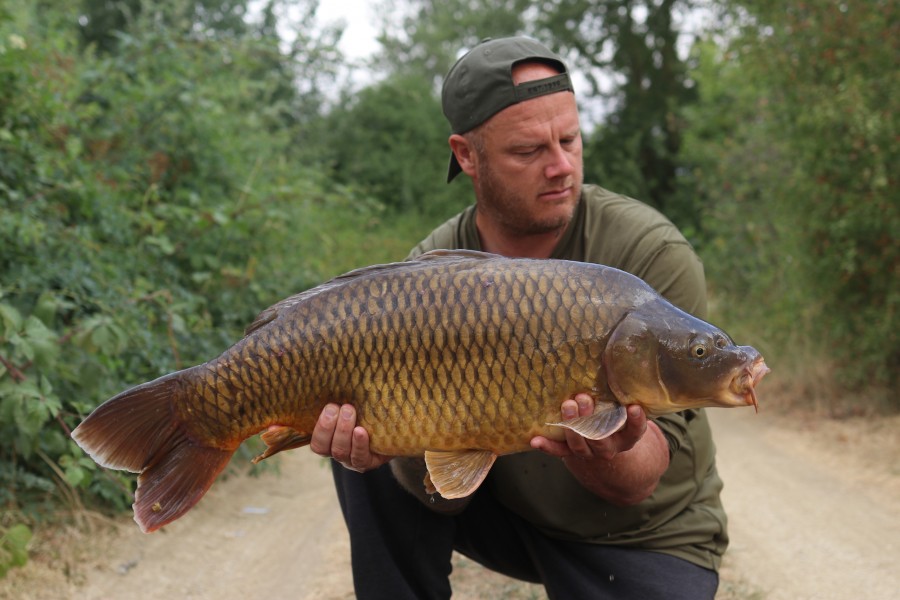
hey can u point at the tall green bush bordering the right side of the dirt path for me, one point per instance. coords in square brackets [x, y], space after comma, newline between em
[798, 173]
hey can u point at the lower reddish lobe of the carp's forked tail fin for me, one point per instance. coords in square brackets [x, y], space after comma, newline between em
[171, 486]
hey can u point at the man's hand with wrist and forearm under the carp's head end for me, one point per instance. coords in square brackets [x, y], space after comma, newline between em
[625, 467]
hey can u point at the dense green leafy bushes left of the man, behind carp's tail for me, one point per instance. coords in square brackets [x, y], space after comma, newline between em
[153, 202]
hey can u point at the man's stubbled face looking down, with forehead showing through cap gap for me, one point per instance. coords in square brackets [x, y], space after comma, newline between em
[528, 170]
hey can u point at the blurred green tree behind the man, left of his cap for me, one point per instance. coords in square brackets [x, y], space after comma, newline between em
[391, 138]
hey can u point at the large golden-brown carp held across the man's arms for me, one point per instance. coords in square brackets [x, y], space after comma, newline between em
[458, 356]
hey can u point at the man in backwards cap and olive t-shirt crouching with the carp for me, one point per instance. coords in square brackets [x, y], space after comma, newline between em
[636, 515]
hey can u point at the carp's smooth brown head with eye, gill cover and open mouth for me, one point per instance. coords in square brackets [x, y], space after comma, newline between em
[666, 361]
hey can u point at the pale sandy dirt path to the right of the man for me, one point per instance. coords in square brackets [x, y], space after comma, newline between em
[813, 514]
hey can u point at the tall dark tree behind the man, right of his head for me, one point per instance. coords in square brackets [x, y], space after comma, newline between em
[628, 51]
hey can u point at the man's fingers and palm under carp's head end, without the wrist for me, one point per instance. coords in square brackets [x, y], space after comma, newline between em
[582, 405]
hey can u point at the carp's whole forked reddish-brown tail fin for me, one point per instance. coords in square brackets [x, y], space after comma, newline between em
[138, 431]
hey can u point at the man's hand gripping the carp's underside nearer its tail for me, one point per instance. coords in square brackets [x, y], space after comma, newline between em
[336, 435]
